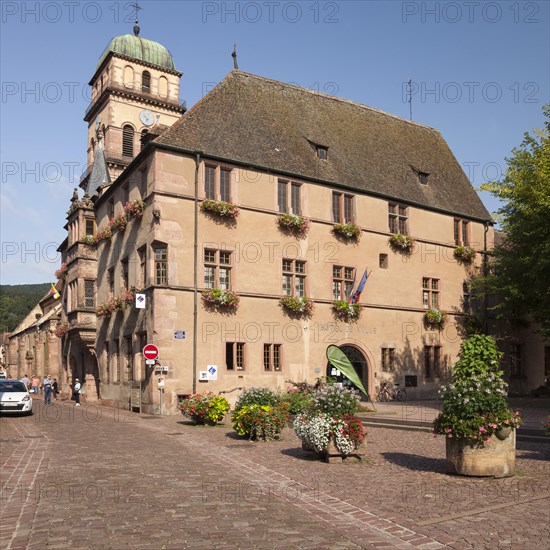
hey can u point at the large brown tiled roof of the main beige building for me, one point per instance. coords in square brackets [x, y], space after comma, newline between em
[261, 122]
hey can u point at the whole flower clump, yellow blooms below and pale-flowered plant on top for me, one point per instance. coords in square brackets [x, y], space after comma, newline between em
[259, 414]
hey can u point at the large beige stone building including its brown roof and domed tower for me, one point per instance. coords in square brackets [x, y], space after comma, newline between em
[242, 228]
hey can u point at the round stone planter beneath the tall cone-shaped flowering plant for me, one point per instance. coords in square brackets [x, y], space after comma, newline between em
[496, 458]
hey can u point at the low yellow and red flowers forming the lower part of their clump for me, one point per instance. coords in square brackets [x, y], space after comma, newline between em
[257, 422]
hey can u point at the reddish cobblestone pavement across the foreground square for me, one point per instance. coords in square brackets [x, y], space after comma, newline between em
[93, 477]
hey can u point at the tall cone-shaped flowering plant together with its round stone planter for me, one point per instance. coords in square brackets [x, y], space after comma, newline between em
[476, 420]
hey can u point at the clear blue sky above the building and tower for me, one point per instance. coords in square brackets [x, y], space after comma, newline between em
[480, 72]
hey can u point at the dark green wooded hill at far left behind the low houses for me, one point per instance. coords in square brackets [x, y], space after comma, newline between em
[16, 301]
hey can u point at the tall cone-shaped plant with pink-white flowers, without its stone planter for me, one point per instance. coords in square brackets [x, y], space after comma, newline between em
[474, 402]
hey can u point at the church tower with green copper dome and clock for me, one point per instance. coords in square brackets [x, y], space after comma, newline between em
[134, 89]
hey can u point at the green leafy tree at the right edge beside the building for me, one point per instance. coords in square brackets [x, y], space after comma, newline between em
[520, 270]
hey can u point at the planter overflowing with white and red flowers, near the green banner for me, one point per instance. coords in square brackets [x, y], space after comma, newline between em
[330, 426]
